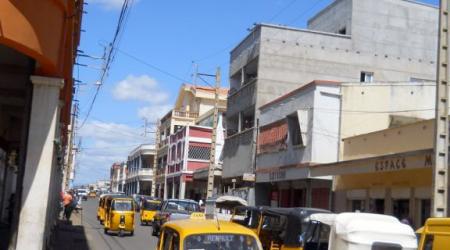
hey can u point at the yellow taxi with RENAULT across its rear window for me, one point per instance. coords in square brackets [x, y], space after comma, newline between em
[206, 234]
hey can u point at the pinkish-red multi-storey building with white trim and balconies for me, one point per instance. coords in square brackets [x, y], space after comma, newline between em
[189, 150]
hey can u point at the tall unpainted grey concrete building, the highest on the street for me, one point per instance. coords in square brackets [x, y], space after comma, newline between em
[348, 41]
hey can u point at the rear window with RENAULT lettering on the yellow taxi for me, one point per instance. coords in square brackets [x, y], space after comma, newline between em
[220, 241]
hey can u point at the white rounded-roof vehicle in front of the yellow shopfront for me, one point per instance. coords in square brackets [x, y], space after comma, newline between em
[357, 231]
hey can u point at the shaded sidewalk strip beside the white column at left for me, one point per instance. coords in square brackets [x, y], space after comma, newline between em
[70, 235]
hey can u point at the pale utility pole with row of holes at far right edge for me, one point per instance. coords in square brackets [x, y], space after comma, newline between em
[440, 170]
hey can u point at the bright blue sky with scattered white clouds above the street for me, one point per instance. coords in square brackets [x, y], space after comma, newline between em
[169, 35]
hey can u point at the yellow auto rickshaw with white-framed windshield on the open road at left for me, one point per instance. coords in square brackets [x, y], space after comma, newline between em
[119, 216]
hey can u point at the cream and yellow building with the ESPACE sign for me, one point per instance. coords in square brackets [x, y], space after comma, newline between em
[385, 161]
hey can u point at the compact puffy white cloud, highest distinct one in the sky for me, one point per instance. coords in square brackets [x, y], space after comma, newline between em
[141, 88]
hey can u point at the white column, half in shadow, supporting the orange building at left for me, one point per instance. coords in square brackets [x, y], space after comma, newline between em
[39, 162]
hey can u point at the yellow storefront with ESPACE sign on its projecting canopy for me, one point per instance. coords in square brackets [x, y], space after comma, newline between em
[396, 184]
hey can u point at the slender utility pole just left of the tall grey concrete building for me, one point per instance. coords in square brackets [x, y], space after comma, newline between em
[212, 156]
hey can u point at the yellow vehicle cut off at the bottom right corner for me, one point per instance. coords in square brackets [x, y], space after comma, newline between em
[435, 235]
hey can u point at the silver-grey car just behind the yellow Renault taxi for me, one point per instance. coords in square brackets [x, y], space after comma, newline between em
[173, 209]
